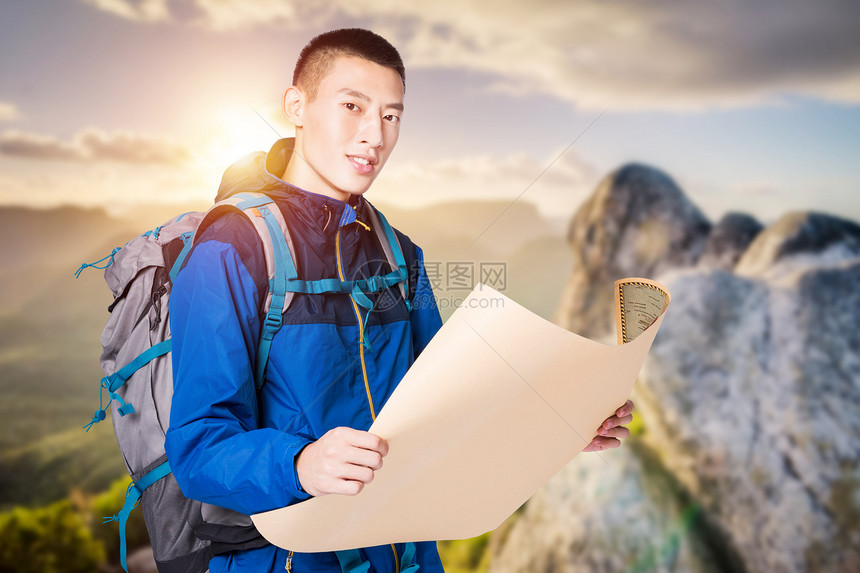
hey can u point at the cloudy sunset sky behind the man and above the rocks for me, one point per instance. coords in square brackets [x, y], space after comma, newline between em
[750, 105]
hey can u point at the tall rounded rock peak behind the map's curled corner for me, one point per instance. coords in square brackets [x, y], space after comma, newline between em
[637, 223]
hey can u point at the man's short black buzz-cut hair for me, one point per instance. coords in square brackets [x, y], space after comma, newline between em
[317, 58]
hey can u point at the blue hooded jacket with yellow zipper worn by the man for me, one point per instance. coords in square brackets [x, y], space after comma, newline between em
[231, 446]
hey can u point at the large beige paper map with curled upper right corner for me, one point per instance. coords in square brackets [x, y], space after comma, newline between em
[498, 402]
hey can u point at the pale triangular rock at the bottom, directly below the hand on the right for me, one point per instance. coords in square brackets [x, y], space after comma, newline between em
[601, 515]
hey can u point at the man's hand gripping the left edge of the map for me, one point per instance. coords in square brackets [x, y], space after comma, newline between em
[342, 461]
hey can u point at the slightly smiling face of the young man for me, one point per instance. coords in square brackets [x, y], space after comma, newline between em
[349, 129]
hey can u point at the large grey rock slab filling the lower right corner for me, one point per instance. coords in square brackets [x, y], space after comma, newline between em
[752, 395]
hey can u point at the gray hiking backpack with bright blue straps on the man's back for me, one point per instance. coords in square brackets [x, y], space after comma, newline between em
[185, 533]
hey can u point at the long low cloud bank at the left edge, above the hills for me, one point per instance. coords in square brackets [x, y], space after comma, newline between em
[93, 145]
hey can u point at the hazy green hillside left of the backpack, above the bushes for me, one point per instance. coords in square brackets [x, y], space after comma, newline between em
[49, 348]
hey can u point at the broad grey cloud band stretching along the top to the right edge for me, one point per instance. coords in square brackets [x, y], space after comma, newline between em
[624, 54]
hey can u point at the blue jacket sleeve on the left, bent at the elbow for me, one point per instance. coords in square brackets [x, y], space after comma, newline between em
[217, 451]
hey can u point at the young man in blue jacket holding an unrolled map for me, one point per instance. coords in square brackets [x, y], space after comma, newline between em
[333, 364]
